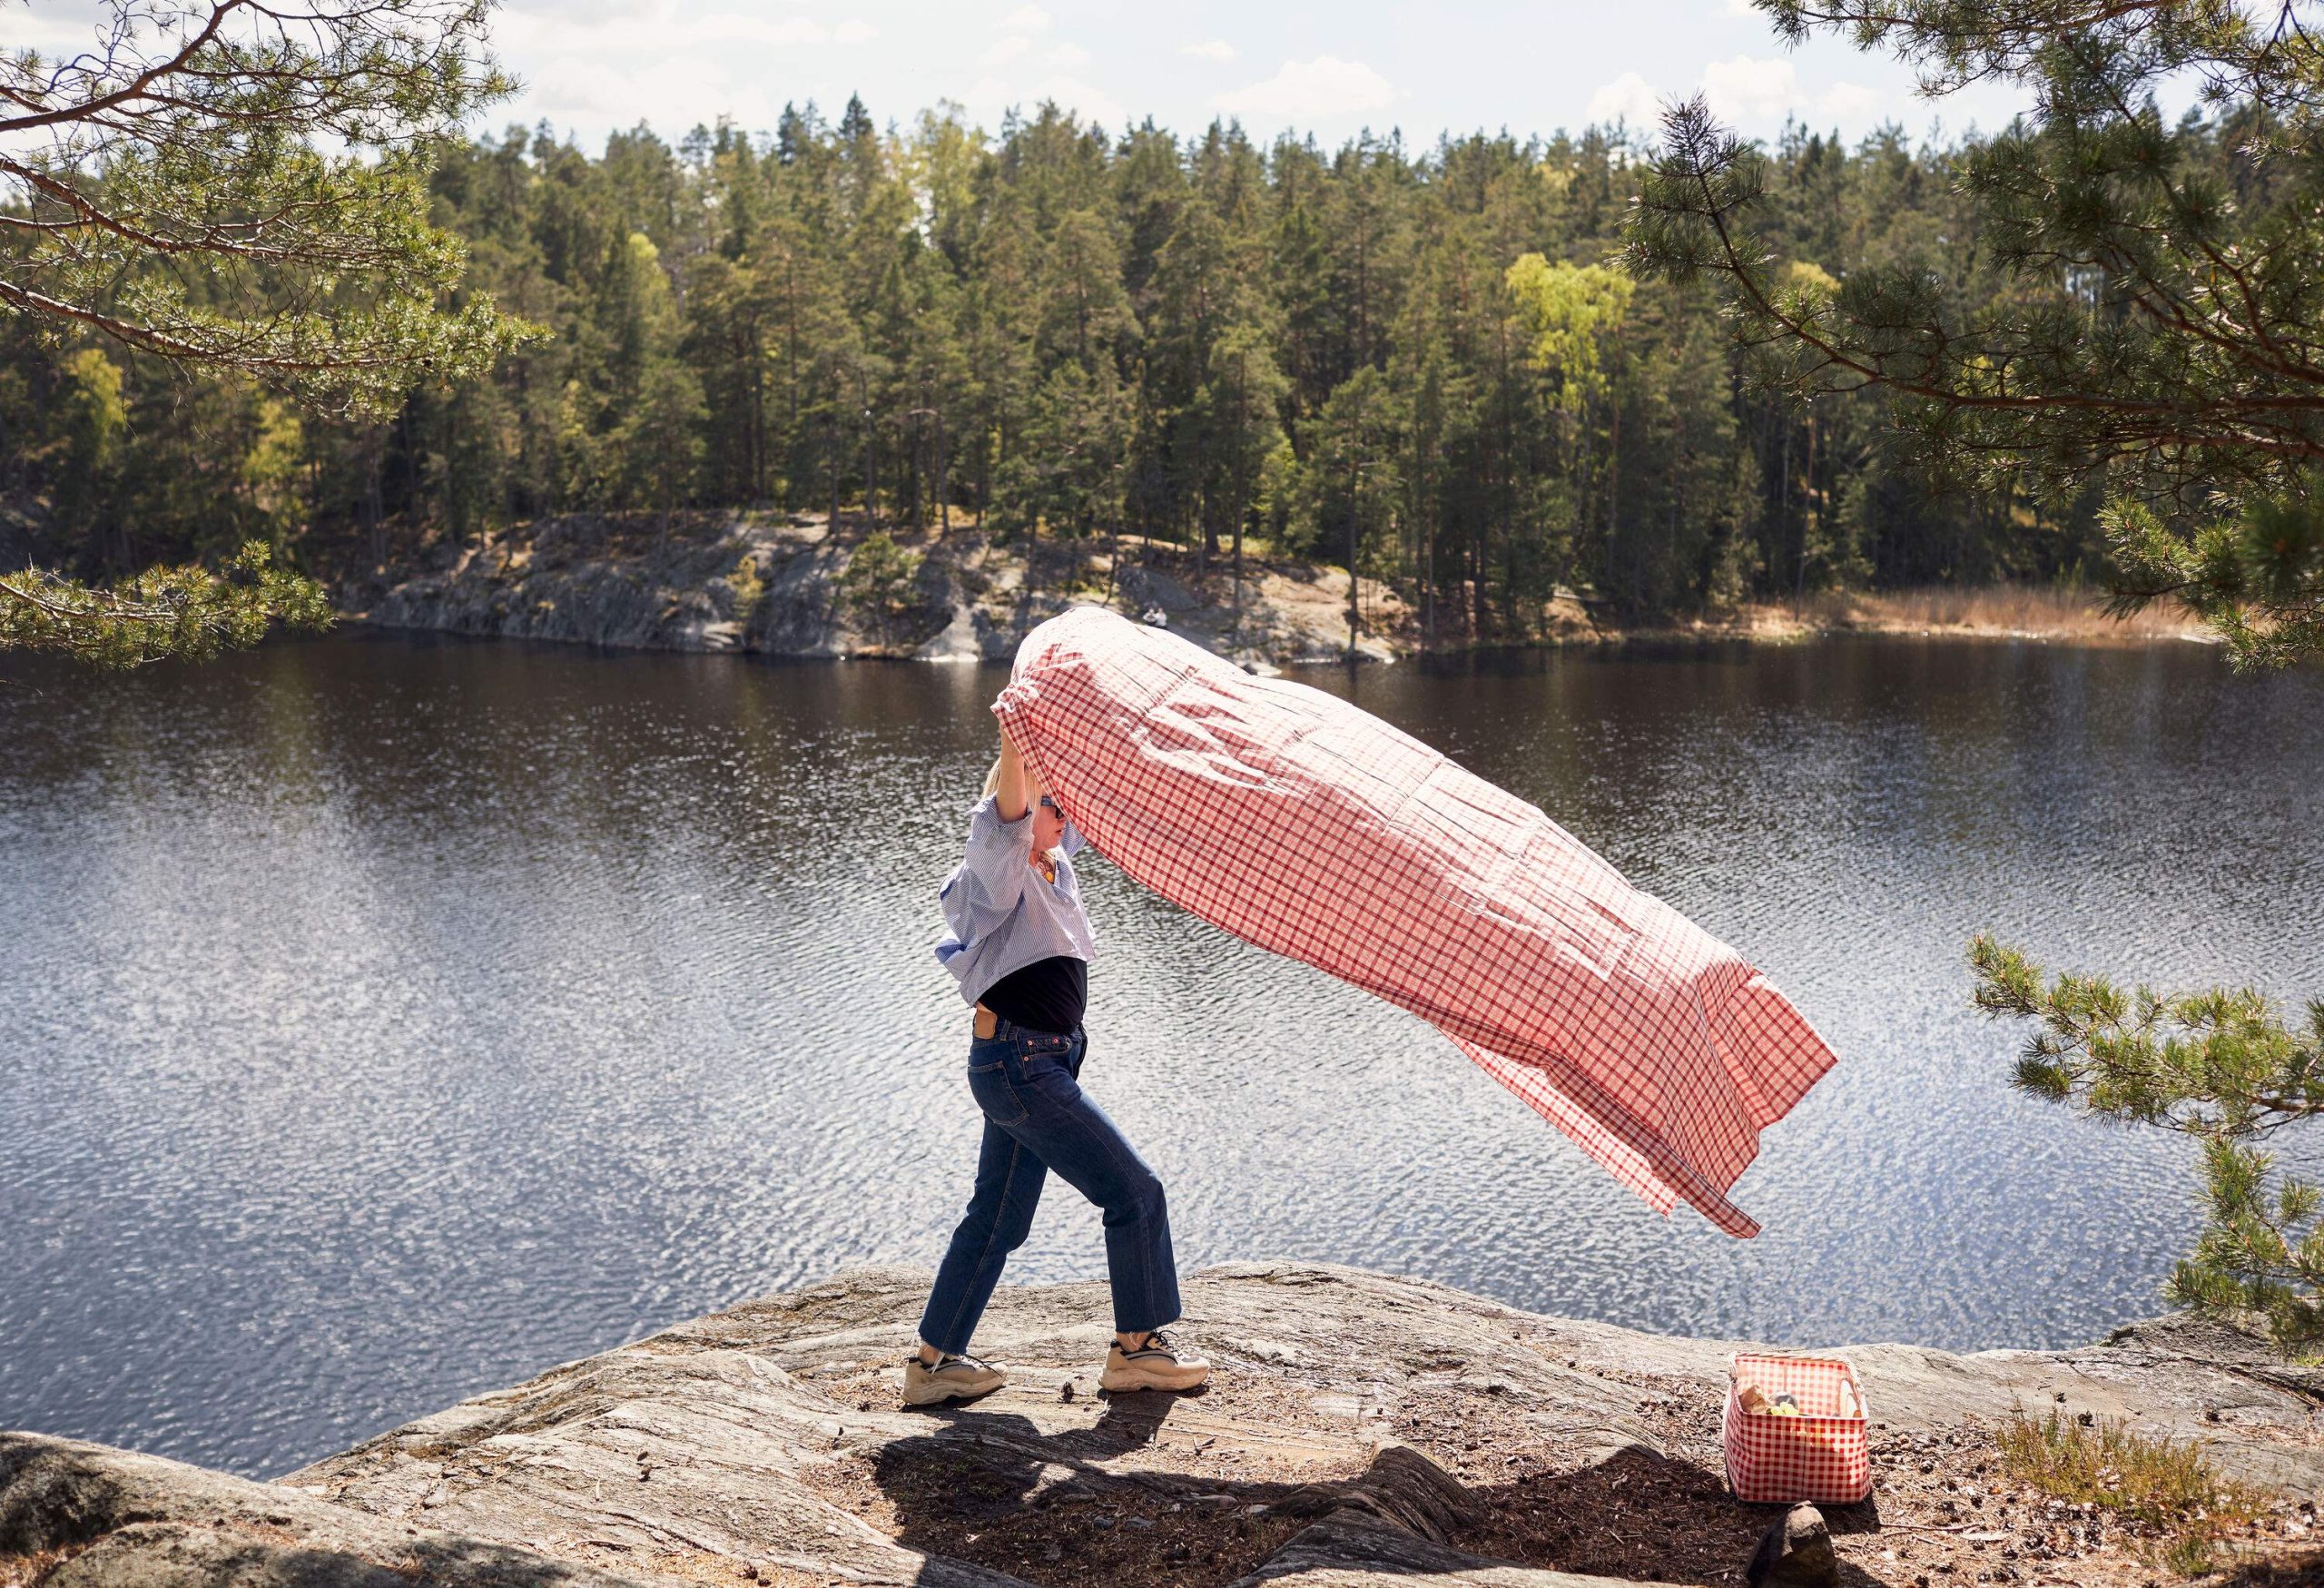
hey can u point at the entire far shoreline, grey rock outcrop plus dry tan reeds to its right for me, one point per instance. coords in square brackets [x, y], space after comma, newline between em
[789, 587]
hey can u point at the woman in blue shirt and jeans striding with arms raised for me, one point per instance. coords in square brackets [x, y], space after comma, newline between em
[1019, 945]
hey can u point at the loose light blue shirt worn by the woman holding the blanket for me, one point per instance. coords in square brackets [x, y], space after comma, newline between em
[1003, 913]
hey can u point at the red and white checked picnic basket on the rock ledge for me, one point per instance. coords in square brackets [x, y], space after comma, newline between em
[1819, 1454]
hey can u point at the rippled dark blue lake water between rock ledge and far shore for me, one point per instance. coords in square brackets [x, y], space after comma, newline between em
[389, 1020]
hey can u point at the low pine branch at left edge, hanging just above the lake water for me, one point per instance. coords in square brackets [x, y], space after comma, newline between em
[166, 613]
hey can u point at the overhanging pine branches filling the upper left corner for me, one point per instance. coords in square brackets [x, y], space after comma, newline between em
[236, 192]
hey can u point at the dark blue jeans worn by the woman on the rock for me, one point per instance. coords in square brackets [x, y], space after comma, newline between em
[1038, 1120]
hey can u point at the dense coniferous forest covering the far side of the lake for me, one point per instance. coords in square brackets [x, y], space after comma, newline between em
[1414, 359]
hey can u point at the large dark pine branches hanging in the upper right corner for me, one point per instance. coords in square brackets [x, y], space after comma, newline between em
[2137, 313]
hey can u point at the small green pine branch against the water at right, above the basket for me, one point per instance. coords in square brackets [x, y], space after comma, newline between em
[2223, 1068]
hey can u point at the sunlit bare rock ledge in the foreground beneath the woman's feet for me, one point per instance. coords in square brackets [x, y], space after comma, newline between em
[1361, 1433]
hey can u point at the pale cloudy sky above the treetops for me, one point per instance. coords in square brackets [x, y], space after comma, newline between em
[591, 66]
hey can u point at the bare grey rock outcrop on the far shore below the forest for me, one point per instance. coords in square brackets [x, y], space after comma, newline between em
[780, 585]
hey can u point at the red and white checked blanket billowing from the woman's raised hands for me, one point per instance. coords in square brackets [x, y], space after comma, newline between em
[1312, 829]
